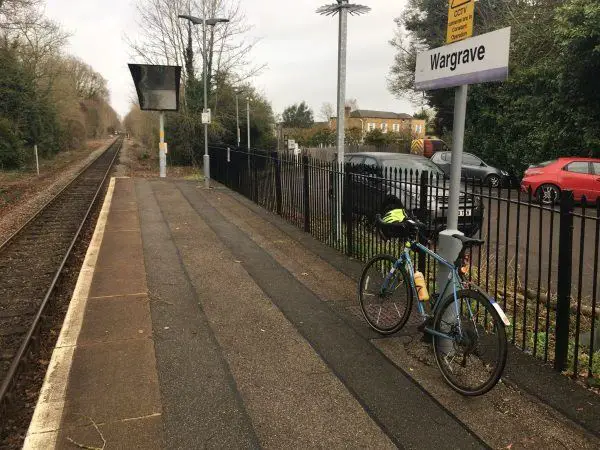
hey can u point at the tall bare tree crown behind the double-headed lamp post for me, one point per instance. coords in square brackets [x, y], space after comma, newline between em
[166, 38]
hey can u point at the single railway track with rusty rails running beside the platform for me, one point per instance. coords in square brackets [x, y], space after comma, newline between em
[31, 261]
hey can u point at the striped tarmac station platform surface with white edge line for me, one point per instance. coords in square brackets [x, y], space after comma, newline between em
[201, 321]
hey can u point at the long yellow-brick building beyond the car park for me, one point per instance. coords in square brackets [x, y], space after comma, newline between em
[388, 122]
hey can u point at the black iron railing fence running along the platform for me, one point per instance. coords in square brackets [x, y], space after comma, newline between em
[540, 262]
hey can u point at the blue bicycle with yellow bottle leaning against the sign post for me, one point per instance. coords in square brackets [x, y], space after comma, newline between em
[466, 325]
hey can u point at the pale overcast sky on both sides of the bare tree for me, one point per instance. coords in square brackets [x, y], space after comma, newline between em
[298, 46]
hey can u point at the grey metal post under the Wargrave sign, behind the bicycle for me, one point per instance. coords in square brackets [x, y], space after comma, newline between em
[449, 247]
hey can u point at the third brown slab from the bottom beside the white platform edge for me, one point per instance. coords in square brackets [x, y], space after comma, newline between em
[116, 318]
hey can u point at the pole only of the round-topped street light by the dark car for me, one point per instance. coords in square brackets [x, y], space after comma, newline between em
[341, 100]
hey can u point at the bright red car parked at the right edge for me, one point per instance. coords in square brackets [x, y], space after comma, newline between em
[548, 179]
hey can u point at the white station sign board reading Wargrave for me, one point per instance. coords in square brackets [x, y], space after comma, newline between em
[474, 60]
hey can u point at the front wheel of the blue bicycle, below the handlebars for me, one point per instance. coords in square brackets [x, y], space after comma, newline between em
[385, 305]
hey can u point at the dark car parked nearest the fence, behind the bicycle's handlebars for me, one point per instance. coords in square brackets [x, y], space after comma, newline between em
[373, 193]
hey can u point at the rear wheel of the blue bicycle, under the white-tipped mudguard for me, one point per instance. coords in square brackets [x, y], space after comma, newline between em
[473, 355]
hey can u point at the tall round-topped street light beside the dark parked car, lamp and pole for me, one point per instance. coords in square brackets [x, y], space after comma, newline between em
[342, 7]
